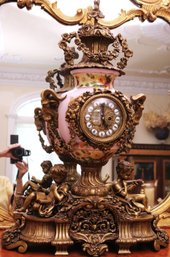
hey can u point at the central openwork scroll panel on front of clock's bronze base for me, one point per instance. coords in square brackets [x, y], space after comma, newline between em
[93, 225]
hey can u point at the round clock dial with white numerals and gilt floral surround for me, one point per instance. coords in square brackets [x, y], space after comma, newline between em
[99, 117]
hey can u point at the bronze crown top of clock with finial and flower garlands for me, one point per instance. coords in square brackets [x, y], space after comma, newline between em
[98, 45]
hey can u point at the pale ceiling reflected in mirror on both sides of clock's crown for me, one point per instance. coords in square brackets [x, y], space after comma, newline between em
[29, 46]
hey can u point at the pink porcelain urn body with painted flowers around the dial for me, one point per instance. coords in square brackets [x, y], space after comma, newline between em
[85, 81]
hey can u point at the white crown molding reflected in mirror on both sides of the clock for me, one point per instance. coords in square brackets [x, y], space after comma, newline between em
[126, 83]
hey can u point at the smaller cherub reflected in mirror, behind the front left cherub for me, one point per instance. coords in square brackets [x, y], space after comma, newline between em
[36, 184]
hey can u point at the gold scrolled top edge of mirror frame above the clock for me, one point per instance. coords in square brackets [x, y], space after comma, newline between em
[147, 10]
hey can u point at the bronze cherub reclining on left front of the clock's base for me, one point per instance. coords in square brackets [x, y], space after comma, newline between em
[45, 201]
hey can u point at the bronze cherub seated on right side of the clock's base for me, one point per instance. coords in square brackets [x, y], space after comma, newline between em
[126, 184]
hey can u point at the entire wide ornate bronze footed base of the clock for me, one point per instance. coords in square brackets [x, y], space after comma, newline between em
[94, 221]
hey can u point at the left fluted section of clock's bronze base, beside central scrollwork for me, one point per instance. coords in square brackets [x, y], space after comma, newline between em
[31, 230]
